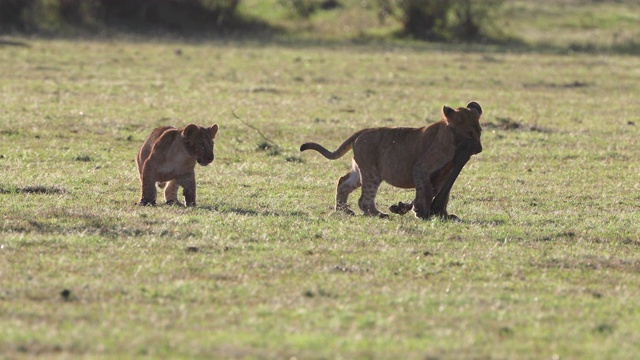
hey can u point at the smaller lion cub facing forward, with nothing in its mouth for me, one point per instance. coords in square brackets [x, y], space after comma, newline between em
[170, 155]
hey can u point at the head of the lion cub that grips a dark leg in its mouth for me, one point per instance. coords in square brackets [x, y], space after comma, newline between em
[465, 125]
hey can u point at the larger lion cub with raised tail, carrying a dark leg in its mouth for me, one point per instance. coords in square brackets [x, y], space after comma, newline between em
[420, 158]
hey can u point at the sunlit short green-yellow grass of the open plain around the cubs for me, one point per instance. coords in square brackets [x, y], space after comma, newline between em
[545, 263]
